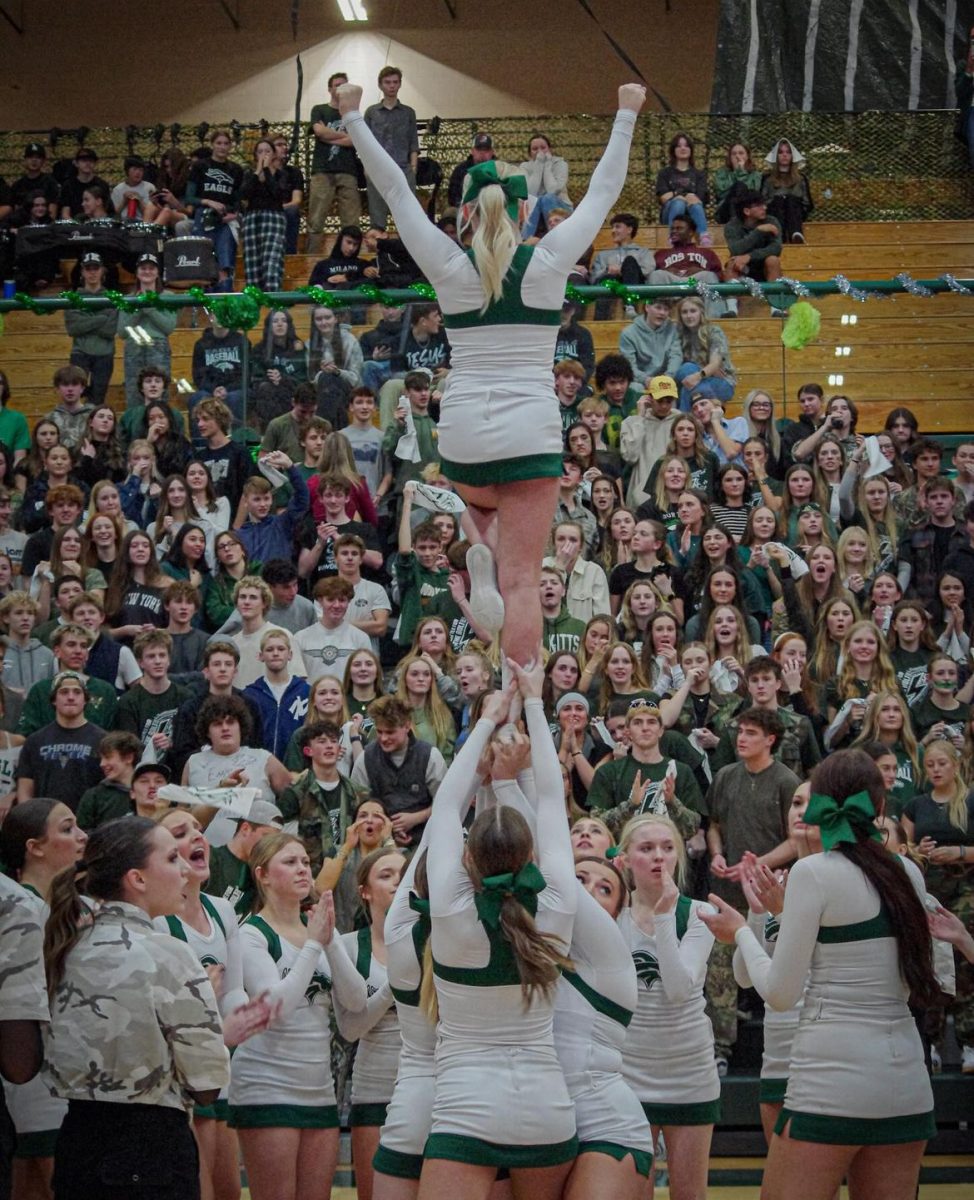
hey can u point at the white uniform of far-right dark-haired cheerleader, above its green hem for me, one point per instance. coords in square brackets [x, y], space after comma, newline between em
[857, 1053]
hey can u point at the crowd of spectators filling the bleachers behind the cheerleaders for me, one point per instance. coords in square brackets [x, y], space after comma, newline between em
[269, 589]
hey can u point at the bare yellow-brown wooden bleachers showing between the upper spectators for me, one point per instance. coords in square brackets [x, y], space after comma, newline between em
[882, 353]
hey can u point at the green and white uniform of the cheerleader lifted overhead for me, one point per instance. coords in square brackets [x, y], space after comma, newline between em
[500, 417]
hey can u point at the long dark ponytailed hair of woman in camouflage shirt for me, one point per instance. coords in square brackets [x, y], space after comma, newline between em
[113, 850]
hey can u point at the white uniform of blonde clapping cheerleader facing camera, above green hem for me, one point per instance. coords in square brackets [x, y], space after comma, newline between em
[669, 1055]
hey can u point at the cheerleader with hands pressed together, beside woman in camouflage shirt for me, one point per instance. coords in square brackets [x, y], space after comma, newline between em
[282, 1094]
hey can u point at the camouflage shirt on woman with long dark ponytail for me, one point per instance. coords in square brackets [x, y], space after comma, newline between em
[135, 1018]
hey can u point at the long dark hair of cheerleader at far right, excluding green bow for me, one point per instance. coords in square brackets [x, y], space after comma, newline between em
[844, 775]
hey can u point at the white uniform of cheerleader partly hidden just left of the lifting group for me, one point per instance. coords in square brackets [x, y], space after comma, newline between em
[376, 1028]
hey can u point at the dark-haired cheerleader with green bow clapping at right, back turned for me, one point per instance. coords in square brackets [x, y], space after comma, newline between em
[858, 1103]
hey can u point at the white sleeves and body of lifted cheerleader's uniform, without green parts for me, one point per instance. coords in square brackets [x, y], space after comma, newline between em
[509, 364]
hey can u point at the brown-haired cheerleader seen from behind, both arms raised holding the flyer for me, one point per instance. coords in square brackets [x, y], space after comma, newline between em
[501, 925]
